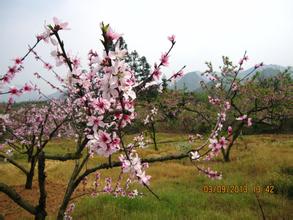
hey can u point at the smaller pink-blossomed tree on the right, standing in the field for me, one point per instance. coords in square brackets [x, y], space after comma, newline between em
[253, 100]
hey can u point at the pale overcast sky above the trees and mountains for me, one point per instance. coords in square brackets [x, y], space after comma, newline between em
[205, 30]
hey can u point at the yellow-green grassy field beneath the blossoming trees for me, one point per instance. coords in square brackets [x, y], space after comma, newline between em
[257, 161]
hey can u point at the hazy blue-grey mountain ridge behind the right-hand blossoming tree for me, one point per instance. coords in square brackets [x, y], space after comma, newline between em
[191, 80]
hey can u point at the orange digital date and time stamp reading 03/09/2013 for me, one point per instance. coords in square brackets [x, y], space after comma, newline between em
[237, 189]
